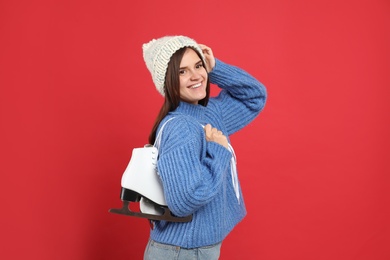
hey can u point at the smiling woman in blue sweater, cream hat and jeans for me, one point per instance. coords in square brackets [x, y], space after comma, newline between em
[196, 162]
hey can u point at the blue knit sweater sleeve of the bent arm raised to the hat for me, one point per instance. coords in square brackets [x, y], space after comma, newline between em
[242, 96]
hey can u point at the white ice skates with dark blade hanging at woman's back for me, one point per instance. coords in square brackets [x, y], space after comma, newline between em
[140, 183]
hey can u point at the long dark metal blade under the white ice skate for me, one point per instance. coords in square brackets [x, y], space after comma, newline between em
[167, 216]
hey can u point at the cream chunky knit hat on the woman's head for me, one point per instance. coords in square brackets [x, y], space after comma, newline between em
[158, 52]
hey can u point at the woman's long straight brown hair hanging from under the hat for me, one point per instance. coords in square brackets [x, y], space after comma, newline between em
[172, 90]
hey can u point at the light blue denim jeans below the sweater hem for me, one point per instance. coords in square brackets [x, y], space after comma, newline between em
[158, 251]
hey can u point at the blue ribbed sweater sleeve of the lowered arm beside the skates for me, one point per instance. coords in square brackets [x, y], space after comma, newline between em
[190, 174]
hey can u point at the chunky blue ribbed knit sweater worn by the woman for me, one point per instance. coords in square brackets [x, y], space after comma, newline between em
[196, 173]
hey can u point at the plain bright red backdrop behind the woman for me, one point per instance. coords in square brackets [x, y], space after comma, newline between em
[76, 98]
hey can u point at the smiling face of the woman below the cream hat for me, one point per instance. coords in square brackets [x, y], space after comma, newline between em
[193, 77]
